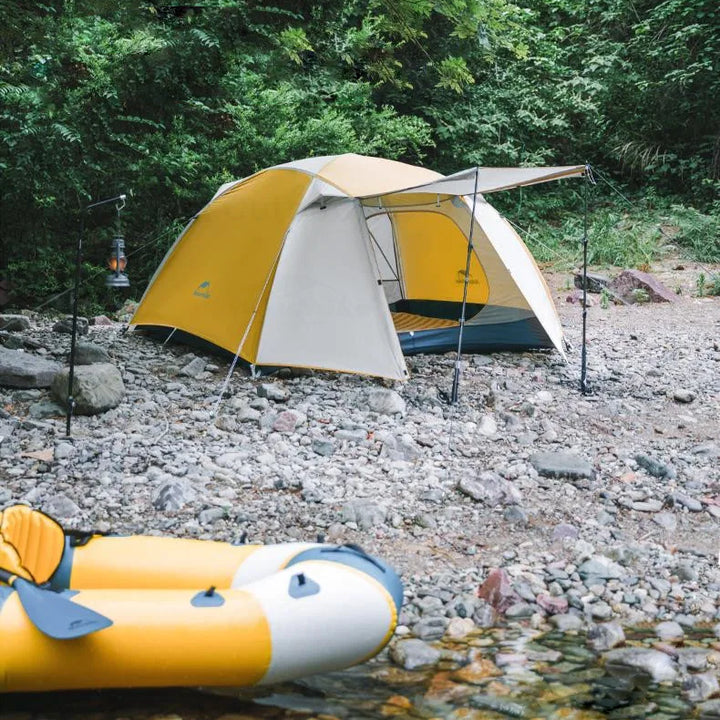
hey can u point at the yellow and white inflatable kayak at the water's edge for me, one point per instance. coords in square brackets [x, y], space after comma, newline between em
[181, 612]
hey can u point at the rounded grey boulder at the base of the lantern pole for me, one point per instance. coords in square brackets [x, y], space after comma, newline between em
[96, 388]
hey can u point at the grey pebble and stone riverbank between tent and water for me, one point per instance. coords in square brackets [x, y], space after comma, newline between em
[526, 504]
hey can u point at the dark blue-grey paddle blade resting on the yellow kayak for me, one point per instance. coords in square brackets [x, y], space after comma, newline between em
[55, 615]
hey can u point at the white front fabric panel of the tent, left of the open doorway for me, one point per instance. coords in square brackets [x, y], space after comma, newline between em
[326, 271]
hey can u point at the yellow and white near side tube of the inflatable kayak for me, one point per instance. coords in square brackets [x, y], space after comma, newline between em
[325, 611]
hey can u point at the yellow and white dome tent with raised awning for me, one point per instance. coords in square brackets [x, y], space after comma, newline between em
[345, 262]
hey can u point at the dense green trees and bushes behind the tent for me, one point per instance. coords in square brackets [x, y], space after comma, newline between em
[167, 102]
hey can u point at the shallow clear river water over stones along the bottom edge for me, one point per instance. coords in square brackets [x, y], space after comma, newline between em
[513, 673]
